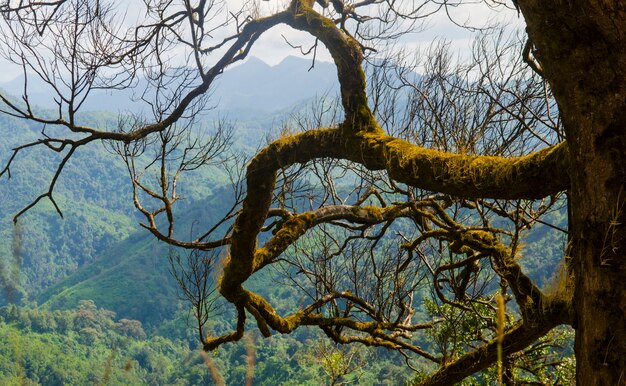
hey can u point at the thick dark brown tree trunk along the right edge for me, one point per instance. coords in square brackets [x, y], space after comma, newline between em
[582, 48]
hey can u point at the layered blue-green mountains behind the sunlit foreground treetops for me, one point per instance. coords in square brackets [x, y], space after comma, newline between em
[122, 267]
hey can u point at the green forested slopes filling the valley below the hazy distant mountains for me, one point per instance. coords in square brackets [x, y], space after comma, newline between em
[58, 272]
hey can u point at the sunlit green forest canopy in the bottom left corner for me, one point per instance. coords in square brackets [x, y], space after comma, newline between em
[88, 346]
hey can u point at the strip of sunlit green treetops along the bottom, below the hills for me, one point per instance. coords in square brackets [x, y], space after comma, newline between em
[88, 345]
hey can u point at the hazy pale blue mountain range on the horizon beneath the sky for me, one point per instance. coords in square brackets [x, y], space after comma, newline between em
[253, 86]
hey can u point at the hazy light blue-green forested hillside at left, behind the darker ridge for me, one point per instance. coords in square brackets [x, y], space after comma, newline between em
[43, 247]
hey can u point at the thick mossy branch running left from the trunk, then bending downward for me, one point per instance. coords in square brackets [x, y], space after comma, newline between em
[533, 176]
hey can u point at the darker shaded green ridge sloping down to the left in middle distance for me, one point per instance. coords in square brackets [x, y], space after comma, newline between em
[132, 276]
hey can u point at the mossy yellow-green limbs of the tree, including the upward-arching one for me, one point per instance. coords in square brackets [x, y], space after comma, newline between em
[359, 139]
